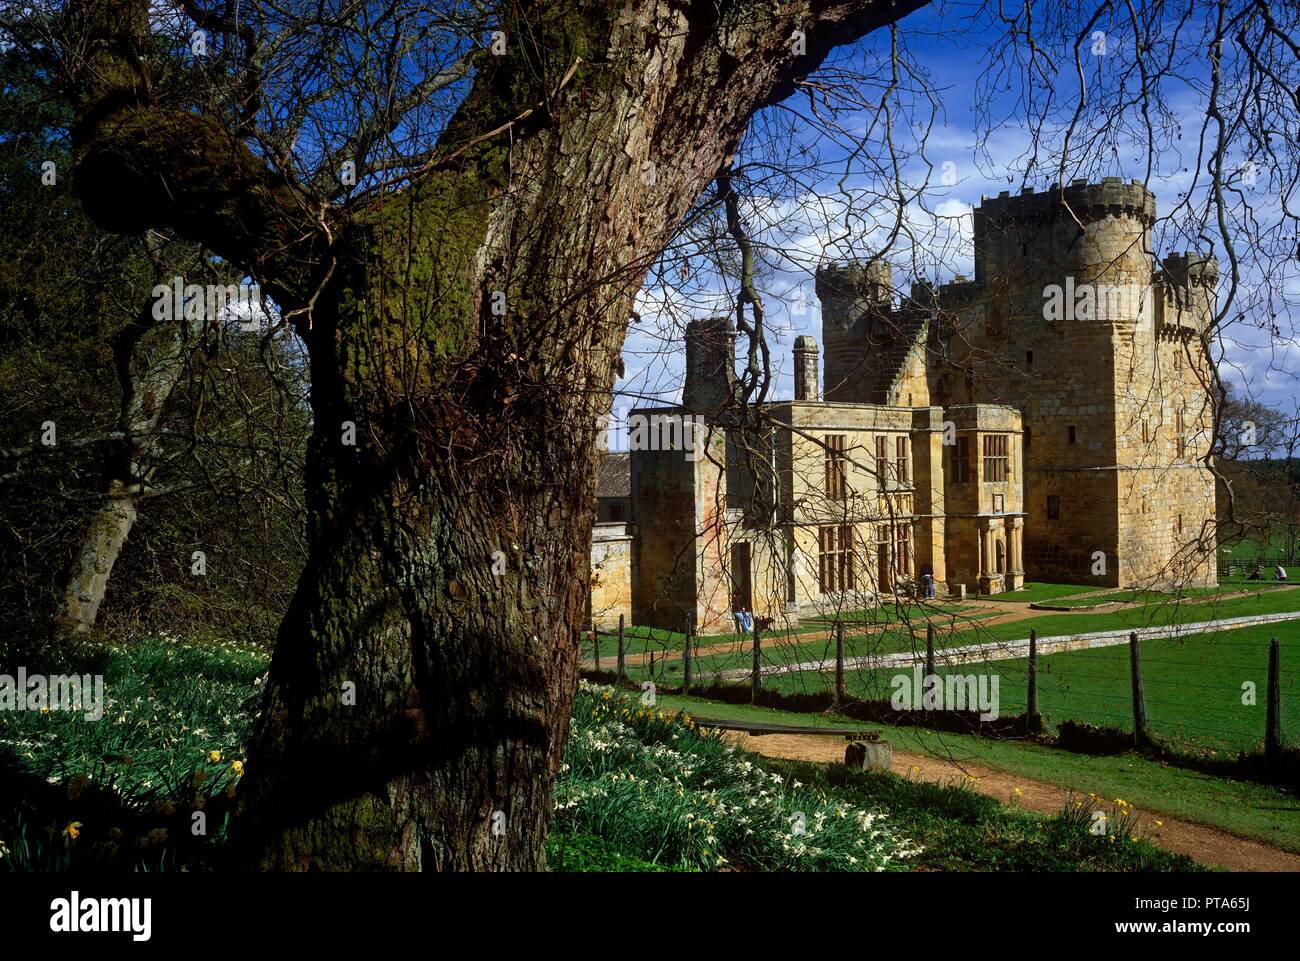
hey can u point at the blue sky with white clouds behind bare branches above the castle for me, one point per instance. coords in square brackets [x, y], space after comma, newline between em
[833, 215]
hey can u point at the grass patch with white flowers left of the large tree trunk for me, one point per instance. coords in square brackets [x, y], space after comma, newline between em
[122, 793]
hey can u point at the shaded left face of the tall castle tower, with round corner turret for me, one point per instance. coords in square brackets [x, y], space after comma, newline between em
[1060, 369]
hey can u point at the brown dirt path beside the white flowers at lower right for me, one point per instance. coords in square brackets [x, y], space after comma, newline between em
[1207, 845]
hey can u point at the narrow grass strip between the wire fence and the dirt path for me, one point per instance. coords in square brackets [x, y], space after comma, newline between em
[1242, 808]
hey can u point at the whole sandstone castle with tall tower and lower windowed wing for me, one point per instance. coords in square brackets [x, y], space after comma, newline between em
[1050, 419]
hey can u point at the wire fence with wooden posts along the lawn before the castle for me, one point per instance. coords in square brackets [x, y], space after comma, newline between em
[1203, 692]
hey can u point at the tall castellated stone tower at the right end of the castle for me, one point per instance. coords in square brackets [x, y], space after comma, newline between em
[1069, 322]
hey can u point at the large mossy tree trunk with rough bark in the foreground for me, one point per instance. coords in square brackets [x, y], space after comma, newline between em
[419, 700]
